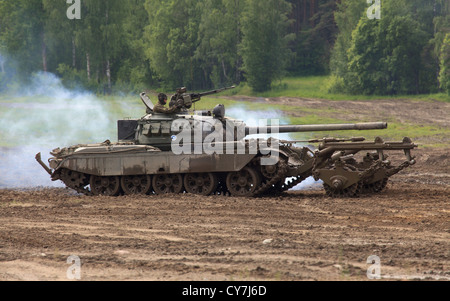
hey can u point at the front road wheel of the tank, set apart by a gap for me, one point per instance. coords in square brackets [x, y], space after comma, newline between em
[243, 182]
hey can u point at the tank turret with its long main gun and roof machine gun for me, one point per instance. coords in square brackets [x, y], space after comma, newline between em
[160, 129]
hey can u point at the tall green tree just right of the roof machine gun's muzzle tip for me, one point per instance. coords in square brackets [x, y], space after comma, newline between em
[264, 47]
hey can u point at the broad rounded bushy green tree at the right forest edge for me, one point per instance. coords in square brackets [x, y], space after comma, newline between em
[381, 54]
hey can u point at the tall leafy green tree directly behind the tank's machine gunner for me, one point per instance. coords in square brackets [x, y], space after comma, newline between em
[172, 40]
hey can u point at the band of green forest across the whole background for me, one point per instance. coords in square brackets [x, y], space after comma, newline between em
[128, 46]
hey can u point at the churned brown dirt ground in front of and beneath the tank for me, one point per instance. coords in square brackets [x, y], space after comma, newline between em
[301, 235]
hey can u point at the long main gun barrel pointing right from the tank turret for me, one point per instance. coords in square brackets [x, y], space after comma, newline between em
[250, 130]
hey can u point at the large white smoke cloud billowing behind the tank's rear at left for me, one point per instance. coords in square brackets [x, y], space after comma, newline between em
[42, 116]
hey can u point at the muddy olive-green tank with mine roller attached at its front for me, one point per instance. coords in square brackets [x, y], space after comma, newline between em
[208, 153]
